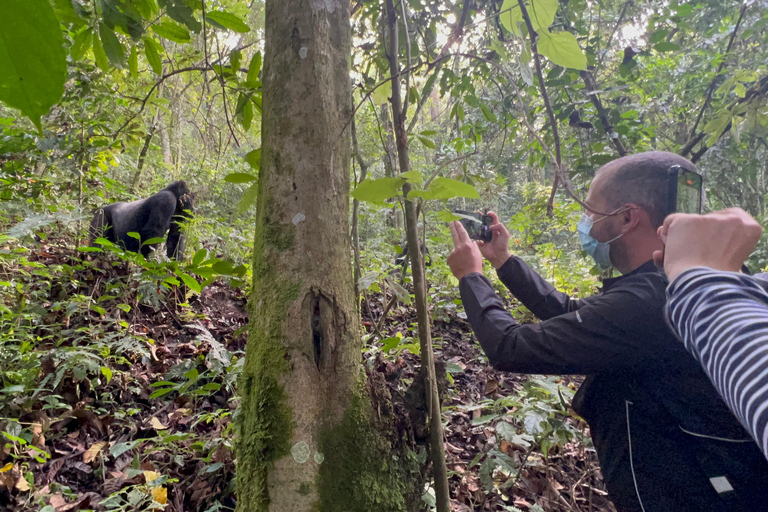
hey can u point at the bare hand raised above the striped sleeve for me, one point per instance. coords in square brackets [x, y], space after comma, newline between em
[721, 241]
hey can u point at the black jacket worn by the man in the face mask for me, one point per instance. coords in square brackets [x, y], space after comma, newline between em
[664, 437]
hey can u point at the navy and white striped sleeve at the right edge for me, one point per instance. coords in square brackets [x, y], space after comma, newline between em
[722, 317]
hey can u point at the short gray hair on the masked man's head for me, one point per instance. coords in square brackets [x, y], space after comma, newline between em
[642, 179]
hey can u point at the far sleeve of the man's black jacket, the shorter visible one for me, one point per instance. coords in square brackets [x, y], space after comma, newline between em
[534, 292]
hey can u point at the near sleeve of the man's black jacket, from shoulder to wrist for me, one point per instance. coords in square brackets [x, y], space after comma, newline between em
[612, 331]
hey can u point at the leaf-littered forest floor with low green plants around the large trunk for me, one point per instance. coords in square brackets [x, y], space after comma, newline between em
[142, 416]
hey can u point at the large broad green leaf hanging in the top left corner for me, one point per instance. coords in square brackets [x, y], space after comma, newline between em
[33, 65]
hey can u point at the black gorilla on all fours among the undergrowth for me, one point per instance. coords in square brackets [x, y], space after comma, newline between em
[150, 218]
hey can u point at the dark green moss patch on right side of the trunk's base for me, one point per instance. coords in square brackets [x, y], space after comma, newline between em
[362, 470]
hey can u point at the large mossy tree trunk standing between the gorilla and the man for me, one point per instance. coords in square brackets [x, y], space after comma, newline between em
[308, 438]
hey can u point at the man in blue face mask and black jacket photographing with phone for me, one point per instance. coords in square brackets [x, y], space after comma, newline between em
[665, 439]
